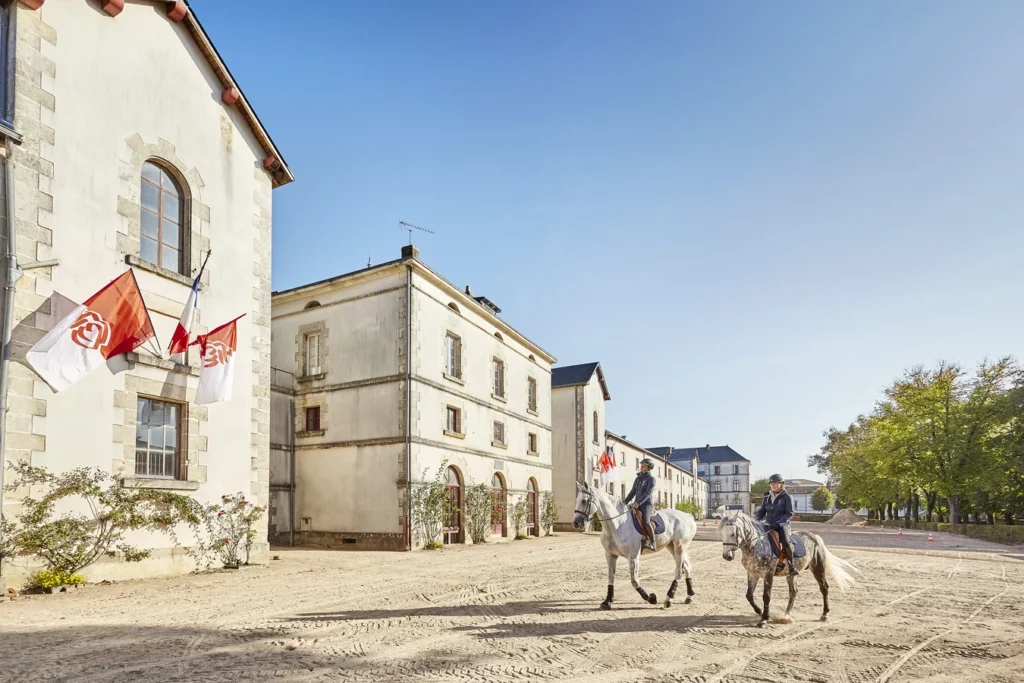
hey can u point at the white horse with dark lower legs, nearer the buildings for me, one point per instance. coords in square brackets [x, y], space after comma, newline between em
[621, 539]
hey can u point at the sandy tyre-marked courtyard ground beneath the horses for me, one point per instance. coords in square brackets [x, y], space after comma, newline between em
[951, 611]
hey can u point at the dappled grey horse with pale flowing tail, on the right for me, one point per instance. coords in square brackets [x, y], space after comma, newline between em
[741, 532]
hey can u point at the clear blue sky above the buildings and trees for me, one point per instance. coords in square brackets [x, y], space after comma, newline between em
[755, 216]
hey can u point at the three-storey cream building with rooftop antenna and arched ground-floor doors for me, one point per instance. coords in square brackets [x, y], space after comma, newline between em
[390, 372]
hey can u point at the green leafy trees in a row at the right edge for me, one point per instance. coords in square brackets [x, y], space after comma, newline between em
[946, 437]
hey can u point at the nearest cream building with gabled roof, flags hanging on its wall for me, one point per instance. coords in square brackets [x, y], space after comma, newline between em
[130, 145]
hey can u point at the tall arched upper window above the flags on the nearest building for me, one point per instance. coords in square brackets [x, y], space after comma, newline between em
[163, 222]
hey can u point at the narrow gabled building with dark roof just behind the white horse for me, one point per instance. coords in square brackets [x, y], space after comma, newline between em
[578, 418]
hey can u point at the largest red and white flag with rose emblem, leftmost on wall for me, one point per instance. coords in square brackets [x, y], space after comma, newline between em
[112, 322]
